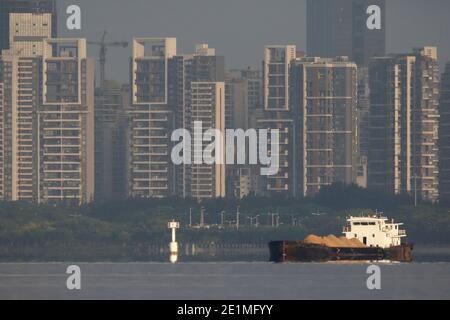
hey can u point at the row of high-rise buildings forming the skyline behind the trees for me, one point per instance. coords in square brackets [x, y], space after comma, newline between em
[345, 113]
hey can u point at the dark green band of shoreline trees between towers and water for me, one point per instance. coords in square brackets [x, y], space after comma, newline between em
[136, 229]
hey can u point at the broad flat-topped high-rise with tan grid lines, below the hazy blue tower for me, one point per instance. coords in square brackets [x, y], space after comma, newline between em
[323, 100]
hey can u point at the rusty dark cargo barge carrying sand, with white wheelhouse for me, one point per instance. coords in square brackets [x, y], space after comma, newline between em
[367, 238]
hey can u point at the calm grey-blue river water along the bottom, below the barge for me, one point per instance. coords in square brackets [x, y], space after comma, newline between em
[426, 278]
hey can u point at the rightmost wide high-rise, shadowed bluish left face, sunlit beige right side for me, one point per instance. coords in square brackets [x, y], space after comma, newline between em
[404, 124]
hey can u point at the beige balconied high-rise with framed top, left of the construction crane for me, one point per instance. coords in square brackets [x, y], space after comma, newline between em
[66, 124]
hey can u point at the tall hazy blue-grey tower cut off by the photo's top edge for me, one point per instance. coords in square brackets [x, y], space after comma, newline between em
[339, 28]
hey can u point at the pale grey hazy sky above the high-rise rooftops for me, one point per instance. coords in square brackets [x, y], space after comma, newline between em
[239, 29]
